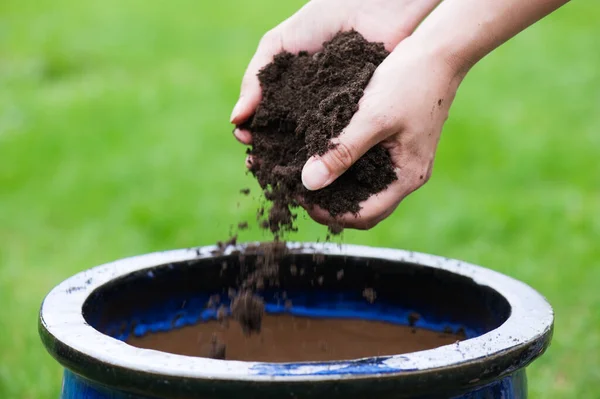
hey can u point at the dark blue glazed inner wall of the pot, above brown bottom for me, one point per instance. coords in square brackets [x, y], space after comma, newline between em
[175, 296]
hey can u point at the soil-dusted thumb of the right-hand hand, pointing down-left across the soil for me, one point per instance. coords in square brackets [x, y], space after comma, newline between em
[358, 138]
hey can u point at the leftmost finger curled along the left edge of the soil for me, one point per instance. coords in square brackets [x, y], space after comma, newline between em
[250, 94]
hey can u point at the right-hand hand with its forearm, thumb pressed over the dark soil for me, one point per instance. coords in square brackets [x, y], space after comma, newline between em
[406, 102]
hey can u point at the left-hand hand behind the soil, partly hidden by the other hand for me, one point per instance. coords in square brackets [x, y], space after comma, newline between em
[387, 21]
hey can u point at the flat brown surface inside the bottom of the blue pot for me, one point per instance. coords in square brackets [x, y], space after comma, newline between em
[286, 338]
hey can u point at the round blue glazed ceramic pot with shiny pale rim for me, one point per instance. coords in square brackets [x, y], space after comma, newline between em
[85, 320]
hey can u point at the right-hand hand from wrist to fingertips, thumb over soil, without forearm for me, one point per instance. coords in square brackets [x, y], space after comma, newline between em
[404, 108]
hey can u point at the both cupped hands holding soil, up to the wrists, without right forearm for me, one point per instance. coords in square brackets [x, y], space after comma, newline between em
[404, 107]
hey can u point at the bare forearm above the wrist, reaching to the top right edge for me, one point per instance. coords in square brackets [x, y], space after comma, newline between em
[467, 30]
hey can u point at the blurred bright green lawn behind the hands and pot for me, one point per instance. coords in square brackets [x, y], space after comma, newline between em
[114, 141]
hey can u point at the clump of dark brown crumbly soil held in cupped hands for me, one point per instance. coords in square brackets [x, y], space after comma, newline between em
[307, 101]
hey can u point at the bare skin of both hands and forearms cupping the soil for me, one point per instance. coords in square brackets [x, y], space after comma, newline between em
[406, 103]
